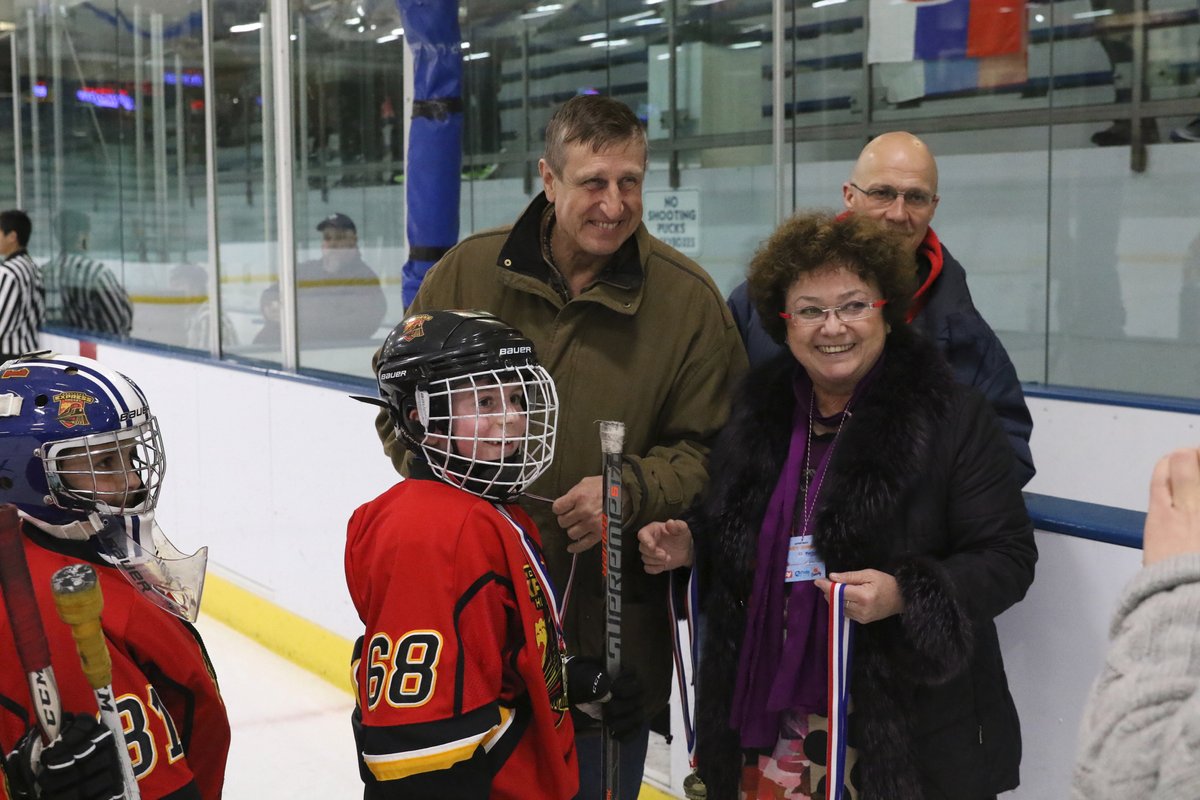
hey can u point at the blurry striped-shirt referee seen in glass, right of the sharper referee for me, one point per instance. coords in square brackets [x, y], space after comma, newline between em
[81, 292]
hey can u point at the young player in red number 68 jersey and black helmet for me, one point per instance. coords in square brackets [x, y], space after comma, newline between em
[463, 673]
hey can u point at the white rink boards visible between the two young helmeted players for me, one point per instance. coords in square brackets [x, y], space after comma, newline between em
[262, 468]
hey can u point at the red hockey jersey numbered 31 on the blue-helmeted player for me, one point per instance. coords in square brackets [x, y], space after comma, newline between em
[167, 696]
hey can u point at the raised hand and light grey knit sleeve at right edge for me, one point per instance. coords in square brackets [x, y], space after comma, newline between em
[1139, 733]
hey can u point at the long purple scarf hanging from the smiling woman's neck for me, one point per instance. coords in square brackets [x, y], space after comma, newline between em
[784, 665]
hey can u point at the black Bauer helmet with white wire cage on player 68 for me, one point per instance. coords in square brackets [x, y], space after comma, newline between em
[485, 411]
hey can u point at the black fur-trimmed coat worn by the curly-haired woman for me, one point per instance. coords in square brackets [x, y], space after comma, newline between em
[920, 486]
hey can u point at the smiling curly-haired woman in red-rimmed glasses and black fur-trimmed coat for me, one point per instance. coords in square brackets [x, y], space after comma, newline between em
[859, 453]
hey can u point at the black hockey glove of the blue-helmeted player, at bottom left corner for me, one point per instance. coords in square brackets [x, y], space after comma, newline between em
[81, 765]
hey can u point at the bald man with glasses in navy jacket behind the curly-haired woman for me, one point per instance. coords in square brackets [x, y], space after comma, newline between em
[896, 182]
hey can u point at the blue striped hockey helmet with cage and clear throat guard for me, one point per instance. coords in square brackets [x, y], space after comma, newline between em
[82, 458]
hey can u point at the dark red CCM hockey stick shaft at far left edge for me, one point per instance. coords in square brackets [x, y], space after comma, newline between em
[27, 625]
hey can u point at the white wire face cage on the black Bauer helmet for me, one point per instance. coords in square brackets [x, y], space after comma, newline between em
[491, 432]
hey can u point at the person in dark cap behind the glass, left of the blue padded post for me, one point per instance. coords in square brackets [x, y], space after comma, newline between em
[339, 298]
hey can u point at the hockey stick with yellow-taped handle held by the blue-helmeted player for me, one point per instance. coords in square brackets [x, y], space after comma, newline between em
[80, 601]
